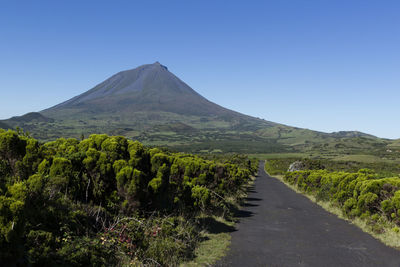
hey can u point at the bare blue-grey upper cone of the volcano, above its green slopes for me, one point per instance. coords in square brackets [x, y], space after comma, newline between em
[149, 87]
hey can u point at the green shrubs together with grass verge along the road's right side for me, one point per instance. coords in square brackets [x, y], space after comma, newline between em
[366, 198]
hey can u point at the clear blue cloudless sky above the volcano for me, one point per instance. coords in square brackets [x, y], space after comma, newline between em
[317, 64]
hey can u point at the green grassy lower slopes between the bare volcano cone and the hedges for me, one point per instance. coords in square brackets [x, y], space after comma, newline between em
[204, 134]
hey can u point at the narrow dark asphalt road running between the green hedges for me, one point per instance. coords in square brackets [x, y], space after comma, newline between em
[282, 228]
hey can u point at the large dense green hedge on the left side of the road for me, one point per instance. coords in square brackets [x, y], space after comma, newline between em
[105, 200]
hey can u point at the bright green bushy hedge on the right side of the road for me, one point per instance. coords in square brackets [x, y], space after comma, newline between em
[361, 194]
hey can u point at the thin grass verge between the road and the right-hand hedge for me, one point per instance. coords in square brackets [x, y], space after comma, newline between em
[384, 231]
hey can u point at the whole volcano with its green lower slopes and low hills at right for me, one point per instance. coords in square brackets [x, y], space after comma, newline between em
[151, 104]
